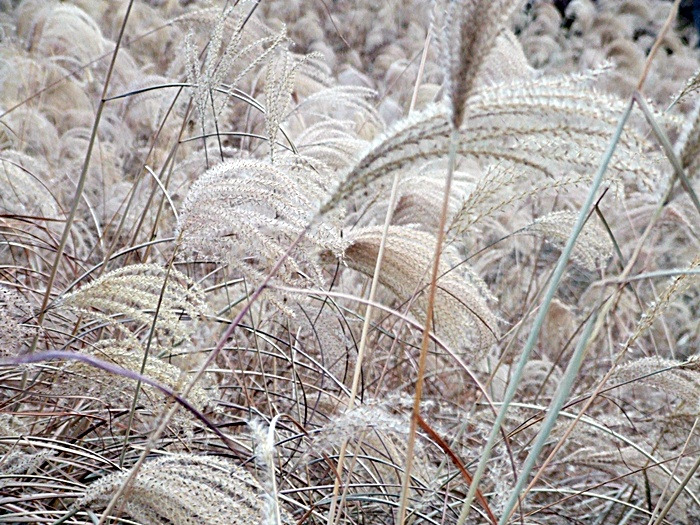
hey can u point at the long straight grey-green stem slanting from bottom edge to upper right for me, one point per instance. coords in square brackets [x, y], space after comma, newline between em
[542, 313]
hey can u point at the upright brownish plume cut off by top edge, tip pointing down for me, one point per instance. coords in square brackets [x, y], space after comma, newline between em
[471, 28]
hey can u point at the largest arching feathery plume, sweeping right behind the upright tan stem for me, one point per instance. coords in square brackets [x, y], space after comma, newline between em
[542, 126]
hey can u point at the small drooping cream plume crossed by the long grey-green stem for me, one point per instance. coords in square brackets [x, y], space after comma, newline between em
[593, 246]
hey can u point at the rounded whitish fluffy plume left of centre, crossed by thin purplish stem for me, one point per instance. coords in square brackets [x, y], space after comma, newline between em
[247, 212]
